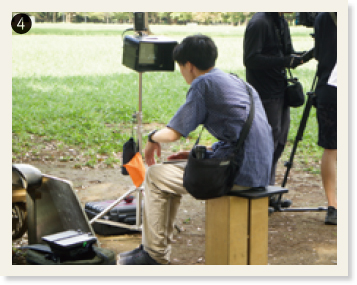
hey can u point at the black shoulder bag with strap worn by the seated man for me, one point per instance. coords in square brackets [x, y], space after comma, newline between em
[211, 178]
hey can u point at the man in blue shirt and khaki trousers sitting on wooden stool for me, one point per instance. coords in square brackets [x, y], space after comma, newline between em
[219, 101]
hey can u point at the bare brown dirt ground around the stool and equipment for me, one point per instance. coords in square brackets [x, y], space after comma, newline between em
[294, 237]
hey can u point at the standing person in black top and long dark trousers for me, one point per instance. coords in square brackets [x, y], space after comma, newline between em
[267, 52]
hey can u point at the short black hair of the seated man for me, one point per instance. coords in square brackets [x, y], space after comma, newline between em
[200, 50]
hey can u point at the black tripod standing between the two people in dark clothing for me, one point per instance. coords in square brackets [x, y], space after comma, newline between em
[311, 96]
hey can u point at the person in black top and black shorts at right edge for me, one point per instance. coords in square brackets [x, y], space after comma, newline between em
[326, 95]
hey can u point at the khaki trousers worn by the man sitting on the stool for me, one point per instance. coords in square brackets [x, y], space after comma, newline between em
[163, 191]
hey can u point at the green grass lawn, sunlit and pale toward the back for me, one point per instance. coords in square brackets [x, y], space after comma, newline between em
[69, 86]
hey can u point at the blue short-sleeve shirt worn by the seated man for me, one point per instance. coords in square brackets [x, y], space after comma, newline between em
[220, 101]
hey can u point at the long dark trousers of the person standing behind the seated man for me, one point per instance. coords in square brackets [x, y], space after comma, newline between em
[278, 114]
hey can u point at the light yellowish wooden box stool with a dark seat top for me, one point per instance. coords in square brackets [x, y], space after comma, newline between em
[237, 227]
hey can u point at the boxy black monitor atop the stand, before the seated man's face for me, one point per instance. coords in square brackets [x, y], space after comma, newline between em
[147, 52]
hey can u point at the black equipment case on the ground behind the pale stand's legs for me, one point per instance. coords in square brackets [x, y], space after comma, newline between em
[124, 212]
